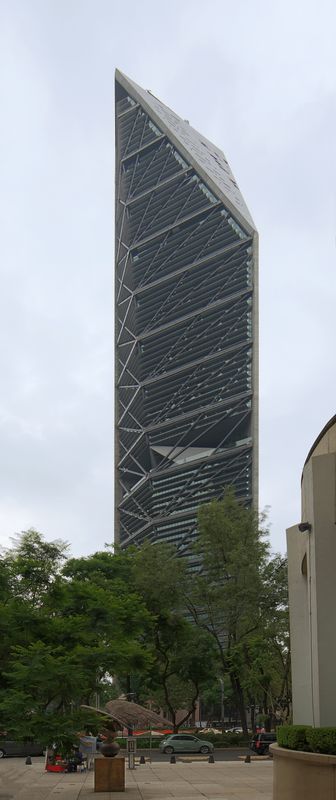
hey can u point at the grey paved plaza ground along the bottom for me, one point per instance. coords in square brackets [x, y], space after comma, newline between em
[229, 780]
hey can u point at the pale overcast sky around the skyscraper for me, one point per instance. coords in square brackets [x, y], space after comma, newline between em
[258, 78]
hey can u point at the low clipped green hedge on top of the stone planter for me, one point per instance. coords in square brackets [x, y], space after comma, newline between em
[306, 738]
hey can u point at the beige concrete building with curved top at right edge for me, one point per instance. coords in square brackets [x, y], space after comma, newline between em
[312, 588]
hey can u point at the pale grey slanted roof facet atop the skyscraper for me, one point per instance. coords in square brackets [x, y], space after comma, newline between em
[207, 160]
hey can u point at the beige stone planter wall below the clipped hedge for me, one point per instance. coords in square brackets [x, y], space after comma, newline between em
[302, 776]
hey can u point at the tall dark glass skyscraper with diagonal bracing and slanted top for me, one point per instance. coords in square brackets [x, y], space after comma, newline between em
[186, 254]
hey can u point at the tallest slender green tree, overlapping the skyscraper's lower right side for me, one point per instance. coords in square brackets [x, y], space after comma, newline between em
[225, 599]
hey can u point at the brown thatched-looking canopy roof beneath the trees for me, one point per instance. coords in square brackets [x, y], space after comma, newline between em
[131, 715]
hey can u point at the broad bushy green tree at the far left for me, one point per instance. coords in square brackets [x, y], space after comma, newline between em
[66, 628]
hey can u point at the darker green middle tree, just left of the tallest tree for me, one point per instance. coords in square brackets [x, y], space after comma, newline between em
[182, 655]
